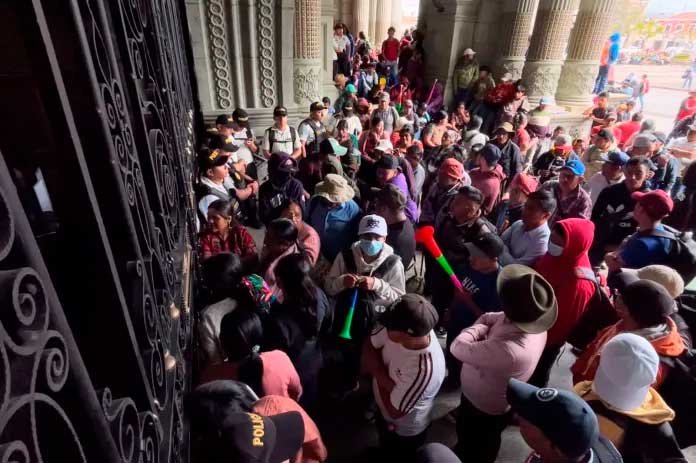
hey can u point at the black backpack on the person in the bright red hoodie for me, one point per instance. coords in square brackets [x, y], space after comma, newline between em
[598, 315]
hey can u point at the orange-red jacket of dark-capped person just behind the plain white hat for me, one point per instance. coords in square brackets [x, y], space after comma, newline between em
[664, 338]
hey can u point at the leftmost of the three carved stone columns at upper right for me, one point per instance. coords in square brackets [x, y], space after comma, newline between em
[517, 20]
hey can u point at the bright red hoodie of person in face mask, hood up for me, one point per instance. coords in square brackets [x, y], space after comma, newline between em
[572, 291]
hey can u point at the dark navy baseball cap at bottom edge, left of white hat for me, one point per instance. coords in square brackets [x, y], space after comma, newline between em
[564, 418]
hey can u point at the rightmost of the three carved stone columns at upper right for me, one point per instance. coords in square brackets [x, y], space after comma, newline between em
[586, 42]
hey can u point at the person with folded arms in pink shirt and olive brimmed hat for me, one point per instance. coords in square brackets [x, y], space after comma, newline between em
[500, 346]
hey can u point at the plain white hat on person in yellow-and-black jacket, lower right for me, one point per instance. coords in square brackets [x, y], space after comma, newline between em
[627, 367]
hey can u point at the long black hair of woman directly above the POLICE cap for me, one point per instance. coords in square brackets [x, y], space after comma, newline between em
[241, 337]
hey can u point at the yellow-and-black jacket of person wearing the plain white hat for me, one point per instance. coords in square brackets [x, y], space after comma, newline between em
[642, 435]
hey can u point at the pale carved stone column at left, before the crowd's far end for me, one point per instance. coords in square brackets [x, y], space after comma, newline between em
[307, 52]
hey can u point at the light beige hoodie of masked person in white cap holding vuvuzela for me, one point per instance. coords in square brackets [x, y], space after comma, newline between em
[389, 288]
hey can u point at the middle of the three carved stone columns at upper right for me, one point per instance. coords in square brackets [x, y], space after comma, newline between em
[549, 40]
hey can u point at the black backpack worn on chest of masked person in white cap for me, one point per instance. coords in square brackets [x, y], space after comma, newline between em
[365, 315]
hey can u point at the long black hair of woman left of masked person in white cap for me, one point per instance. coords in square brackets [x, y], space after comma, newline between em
[299, 292]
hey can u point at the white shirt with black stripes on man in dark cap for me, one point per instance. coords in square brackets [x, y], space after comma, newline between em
[417, 374]
